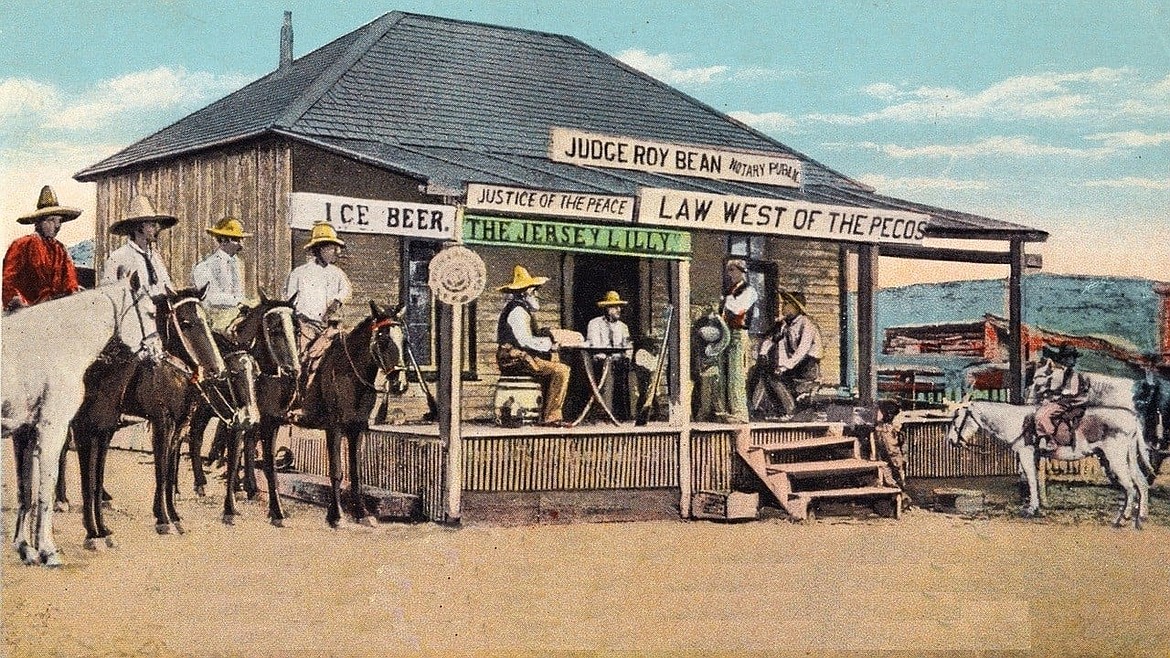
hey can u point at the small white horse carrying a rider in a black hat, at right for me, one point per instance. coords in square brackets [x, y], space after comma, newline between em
[1112, 434]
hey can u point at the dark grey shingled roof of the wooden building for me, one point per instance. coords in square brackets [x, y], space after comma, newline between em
[450, 102]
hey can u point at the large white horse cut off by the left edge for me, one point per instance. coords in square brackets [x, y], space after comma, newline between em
[46, 351]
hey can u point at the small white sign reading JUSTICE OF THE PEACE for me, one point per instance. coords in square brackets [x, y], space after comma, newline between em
[522, 201]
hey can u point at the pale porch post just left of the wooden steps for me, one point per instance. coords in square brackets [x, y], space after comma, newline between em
[680, 380]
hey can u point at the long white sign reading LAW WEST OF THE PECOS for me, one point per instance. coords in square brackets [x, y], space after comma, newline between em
[780, 217]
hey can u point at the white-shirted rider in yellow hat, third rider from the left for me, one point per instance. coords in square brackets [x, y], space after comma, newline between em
[223, 273]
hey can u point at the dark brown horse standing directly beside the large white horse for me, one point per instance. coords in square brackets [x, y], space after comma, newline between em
[166, 395]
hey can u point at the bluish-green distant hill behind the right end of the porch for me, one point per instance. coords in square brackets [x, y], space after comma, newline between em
[1125, 310]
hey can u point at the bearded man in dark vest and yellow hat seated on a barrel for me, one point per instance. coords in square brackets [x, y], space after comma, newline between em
[521, 352]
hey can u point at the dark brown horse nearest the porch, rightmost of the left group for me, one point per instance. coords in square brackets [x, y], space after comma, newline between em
[340, 399]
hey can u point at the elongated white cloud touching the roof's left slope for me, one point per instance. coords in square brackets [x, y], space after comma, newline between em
[157, 90]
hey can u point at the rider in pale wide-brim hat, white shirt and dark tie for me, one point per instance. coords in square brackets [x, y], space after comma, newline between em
[142, 228]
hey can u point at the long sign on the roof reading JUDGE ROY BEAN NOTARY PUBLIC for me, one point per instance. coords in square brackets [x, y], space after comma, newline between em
[590, 149]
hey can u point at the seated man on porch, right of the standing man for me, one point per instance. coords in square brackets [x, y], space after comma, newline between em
[788, 364]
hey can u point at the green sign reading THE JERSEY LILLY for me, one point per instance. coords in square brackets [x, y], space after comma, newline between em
[538, 235]
